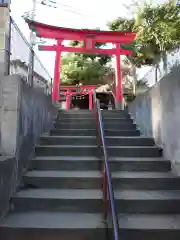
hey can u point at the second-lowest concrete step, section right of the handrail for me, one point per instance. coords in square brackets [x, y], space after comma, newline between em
[148, 201]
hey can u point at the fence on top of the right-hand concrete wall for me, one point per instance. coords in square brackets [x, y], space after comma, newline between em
[158, 71]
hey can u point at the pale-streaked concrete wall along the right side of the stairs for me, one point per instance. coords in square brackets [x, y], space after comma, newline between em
[157, 113]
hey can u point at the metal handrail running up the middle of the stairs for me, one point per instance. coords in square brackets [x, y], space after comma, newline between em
[108, 191]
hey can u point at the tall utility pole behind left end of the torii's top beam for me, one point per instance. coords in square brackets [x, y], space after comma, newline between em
[32, 44]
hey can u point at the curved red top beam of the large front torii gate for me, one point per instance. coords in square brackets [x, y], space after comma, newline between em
[41, 28]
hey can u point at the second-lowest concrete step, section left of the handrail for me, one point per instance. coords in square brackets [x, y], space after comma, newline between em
[67, 200]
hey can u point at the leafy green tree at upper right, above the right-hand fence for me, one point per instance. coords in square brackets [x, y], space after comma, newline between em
[157, 28]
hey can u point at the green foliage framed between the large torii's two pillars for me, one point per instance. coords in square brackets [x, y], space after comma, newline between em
[87, 68]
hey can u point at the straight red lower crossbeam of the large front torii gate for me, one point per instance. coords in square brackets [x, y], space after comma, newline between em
[84, 50]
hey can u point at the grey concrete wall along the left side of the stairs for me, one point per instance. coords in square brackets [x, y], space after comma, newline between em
[25, 114]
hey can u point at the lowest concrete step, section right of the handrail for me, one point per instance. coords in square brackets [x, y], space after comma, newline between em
[149, 226]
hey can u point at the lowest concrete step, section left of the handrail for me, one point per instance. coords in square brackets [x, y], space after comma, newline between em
[52, 225]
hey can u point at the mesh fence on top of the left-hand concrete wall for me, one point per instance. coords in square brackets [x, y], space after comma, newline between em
[20, 51]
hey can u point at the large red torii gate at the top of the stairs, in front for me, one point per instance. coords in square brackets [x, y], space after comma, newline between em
[90, 38]
